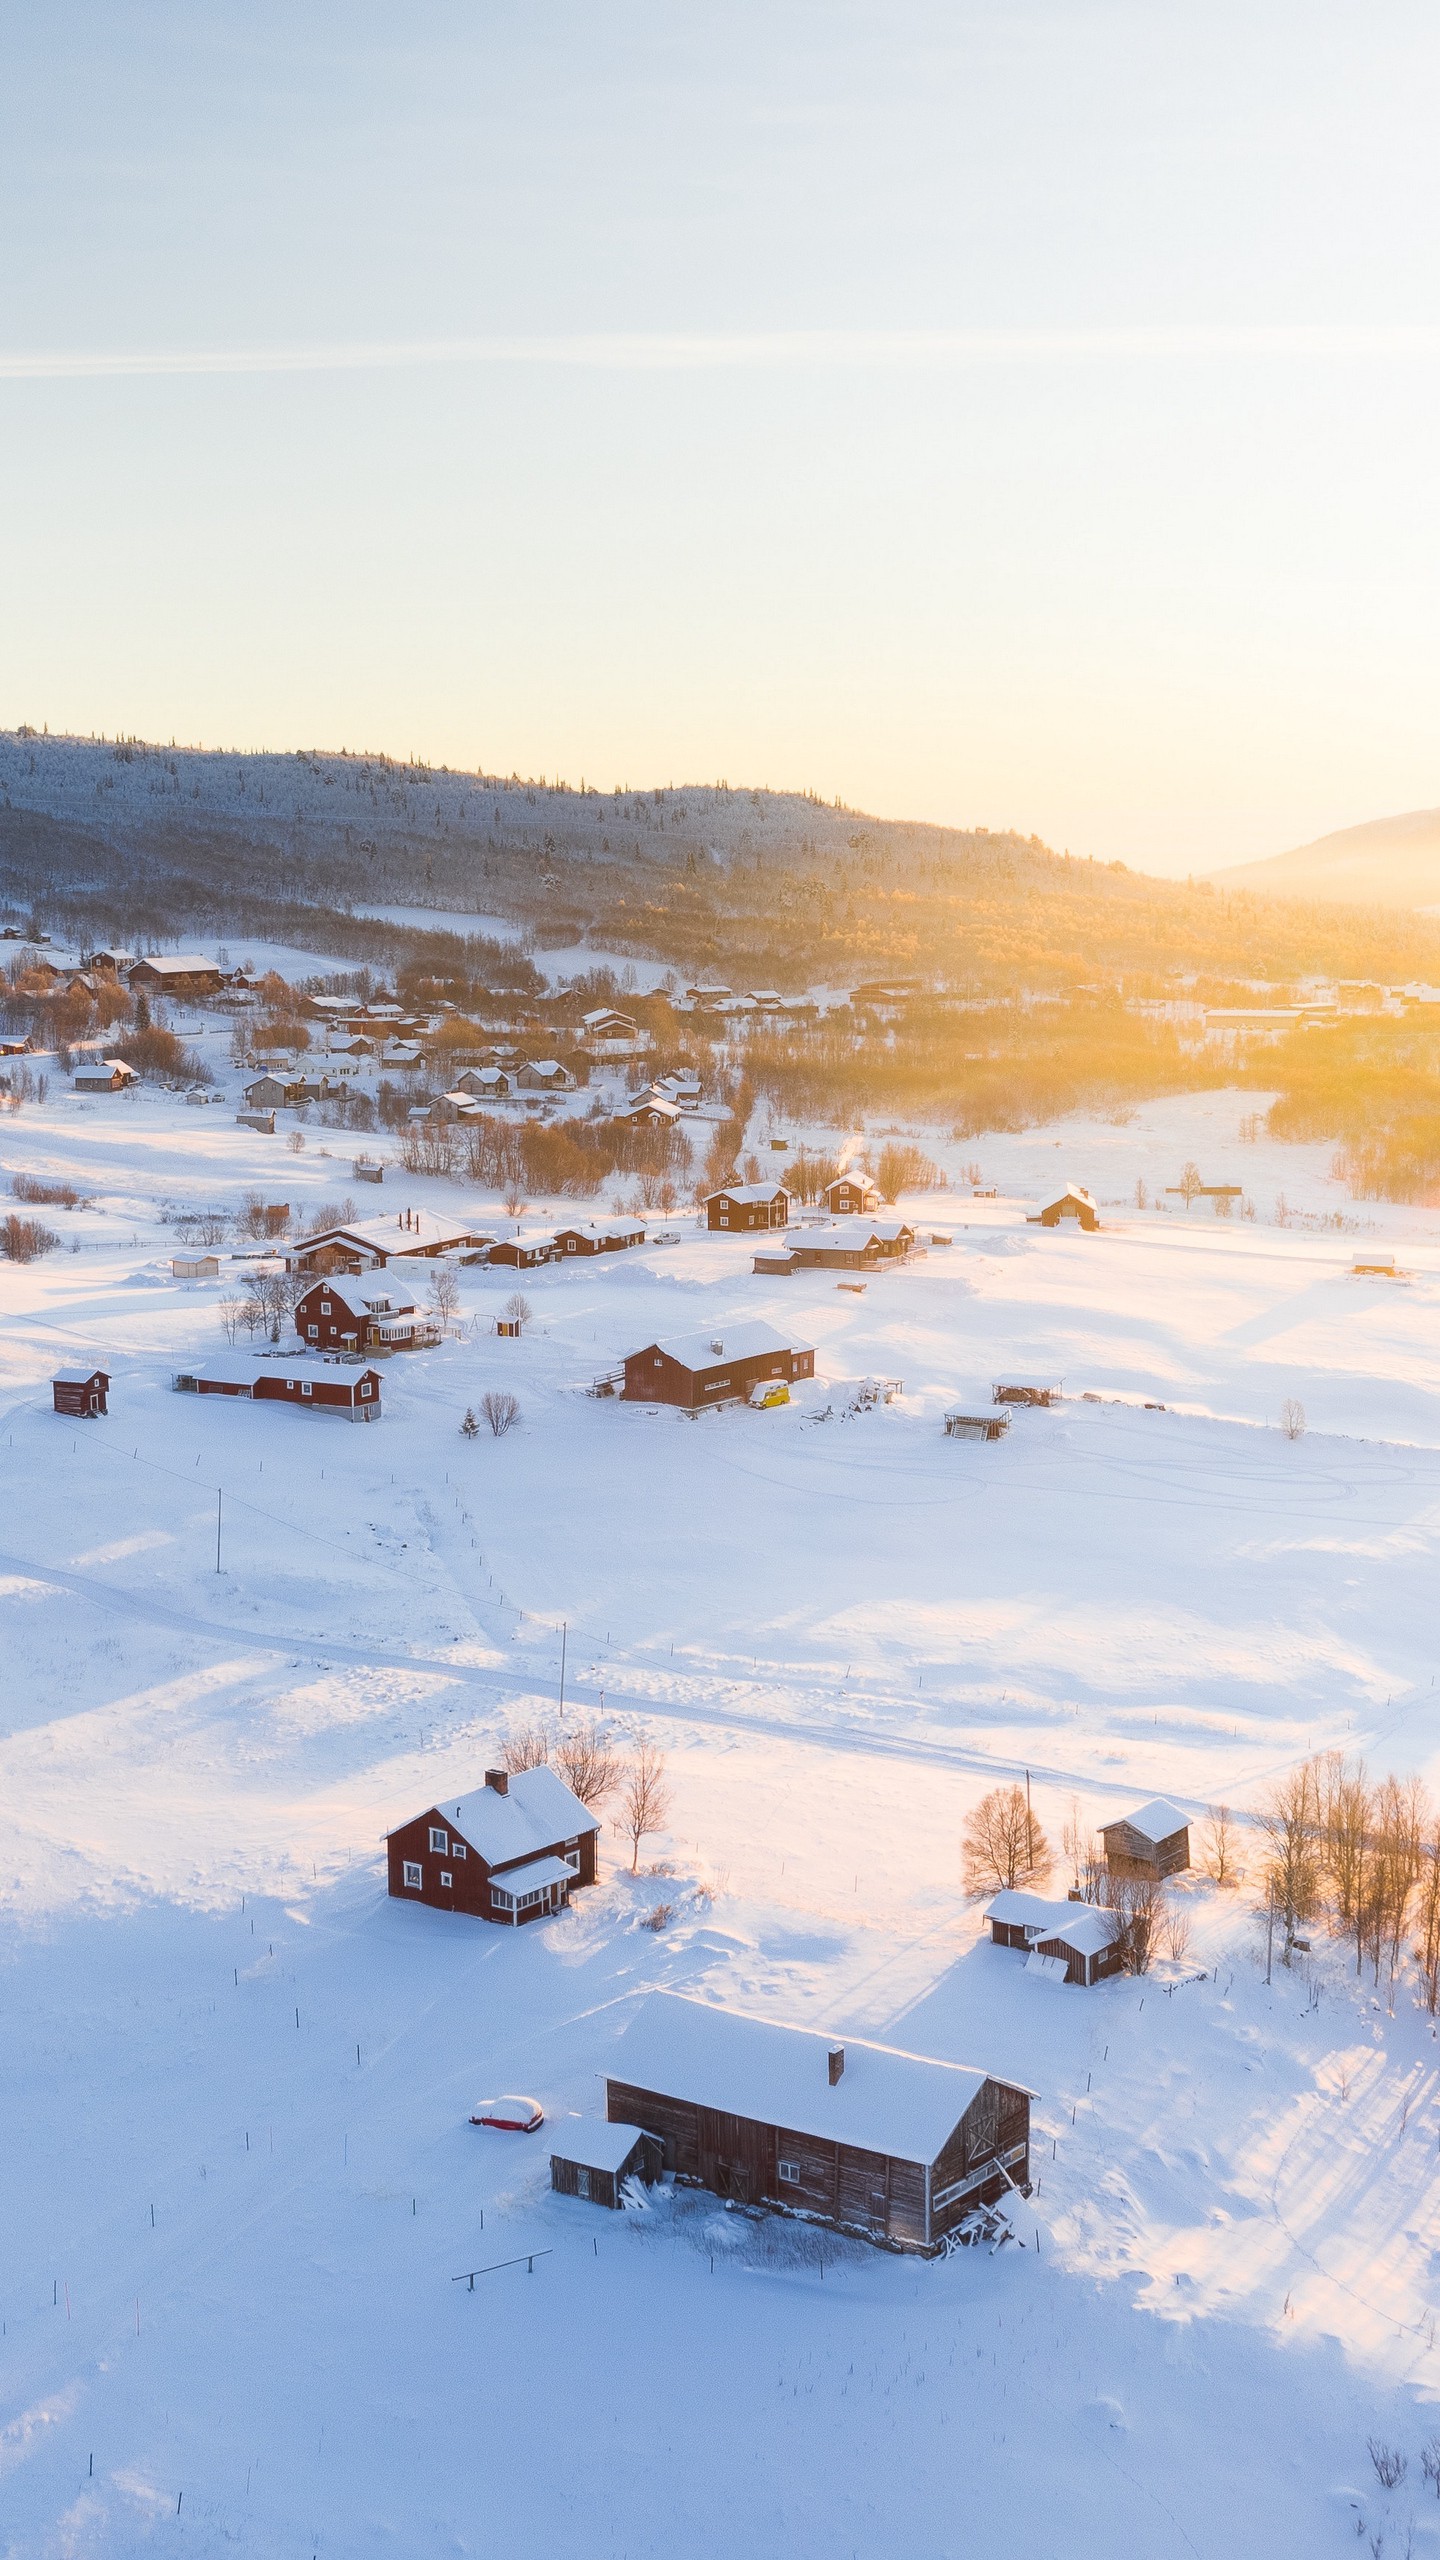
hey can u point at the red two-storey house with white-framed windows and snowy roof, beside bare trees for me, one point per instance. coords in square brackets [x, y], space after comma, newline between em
[509, 1852]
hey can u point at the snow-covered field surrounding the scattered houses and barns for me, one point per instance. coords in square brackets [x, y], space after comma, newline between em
[240, 2177]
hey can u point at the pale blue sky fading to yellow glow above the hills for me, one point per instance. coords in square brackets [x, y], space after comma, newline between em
[990, 413]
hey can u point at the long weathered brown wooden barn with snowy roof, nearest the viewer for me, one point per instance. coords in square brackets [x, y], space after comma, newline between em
[893, 2147]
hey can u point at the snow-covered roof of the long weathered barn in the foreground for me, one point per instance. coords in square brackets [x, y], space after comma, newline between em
[885, 2100]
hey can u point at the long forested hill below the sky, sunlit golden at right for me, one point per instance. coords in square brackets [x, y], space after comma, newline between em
[757, 887]
